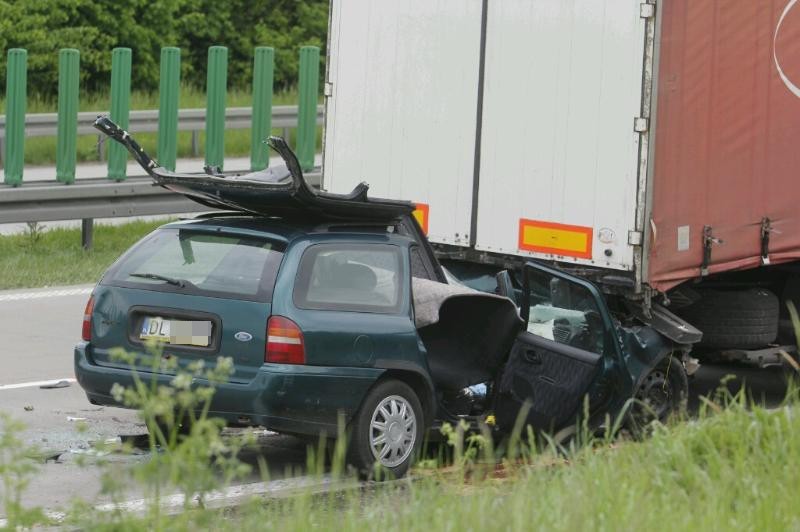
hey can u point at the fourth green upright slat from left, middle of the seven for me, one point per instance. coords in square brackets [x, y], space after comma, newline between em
[168, 90]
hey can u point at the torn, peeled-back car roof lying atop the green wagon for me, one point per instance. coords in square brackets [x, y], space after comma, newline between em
[280, 191]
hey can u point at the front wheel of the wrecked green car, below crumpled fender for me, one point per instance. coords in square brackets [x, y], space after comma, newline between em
[661, 393]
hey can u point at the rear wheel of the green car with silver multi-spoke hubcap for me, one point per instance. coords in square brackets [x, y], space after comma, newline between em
[390, 410]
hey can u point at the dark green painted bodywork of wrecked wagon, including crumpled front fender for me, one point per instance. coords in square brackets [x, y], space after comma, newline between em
[346, 352]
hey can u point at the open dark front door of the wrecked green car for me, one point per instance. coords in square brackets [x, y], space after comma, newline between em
[557, 358]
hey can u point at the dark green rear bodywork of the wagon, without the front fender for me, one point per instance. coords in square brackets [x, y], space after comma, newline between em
[342, 363]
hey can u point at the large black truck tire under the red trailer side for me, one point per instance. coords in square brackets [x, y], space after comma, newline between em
[742, 319]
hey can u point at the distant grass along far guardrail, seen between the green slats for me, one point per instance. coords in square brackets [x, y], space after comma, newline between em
[42, 150]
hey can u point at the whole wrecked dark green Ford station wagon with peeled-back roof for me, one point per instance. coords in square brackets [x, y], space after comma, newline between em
[335, 305]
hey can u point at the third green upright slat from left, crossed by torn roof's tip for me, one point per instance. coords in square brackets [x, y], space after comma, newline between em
[120, 109]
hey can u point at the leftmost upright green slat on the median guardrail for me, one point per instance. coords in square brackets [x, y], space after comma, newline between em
[16, 104]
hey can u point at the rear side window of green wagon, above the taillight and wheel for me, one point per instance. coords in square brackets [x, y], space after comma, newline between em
[350, 277]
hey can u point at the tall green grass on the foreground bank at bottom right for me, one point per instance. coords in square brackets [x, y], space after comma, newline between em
[734, 471]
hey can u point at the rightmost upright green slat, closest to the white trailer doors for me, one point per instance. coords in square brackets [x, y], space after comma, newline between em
[307, 106]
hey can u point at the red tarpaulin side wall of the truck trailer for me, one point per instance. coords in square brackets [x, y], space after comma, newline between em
[727, 152]
